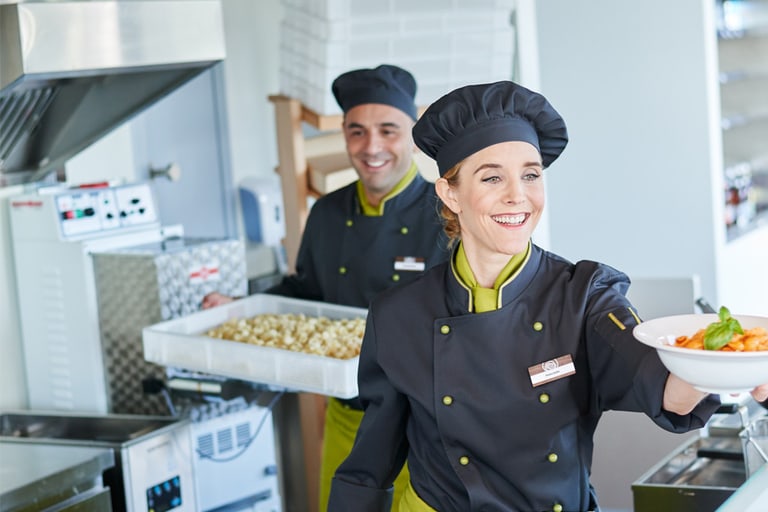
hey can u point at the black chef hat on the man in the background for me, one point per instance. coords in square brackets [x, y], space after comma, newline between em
[386, 84]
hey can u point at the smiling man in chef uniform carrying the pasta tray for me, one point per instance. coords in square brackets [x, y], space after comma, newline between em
[379, 231]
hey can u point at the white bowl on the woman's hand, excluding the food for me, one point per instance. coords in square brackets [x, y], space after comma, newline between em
[711, 371]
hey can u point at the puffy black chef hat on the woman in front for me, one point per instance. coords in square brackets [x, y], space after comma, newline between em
[474, 117]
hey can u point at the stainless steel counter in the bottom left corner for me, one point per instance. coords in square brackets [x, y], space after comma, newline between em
[34, 476]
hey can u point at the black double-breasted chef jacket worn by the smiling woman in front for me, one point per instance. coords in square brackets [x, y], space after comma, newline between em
[452, 391]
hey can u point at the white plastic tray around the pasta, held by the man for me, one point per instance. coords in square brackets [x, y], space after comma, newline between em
[181, 343]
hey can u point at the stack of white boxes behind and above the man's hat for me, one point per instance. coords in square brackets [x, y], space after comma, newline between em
[444, 43]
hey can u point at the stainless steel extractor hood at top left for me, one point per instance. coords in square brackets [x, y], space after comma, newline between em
[71, 71]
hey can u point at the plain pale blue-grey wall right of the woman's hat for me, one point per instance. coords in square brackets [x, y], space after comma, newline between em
[636, 84]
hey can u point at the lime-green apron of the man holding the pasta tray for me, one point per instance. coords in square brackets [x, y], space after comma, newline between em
[341, 424]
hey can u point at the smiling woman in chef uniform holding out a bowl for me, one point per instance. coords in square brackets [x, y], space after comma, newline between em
[490, 372]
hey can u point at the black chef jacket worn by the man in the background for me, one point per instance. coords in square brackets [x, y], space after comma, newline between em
[346, 257]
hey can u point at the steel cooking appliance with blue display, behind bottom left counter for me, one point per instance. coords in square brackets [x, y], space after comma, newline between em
[152, 455]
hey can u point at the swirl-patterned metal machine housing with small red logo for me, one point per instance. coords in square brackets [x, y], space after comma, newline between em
[143, 285]
